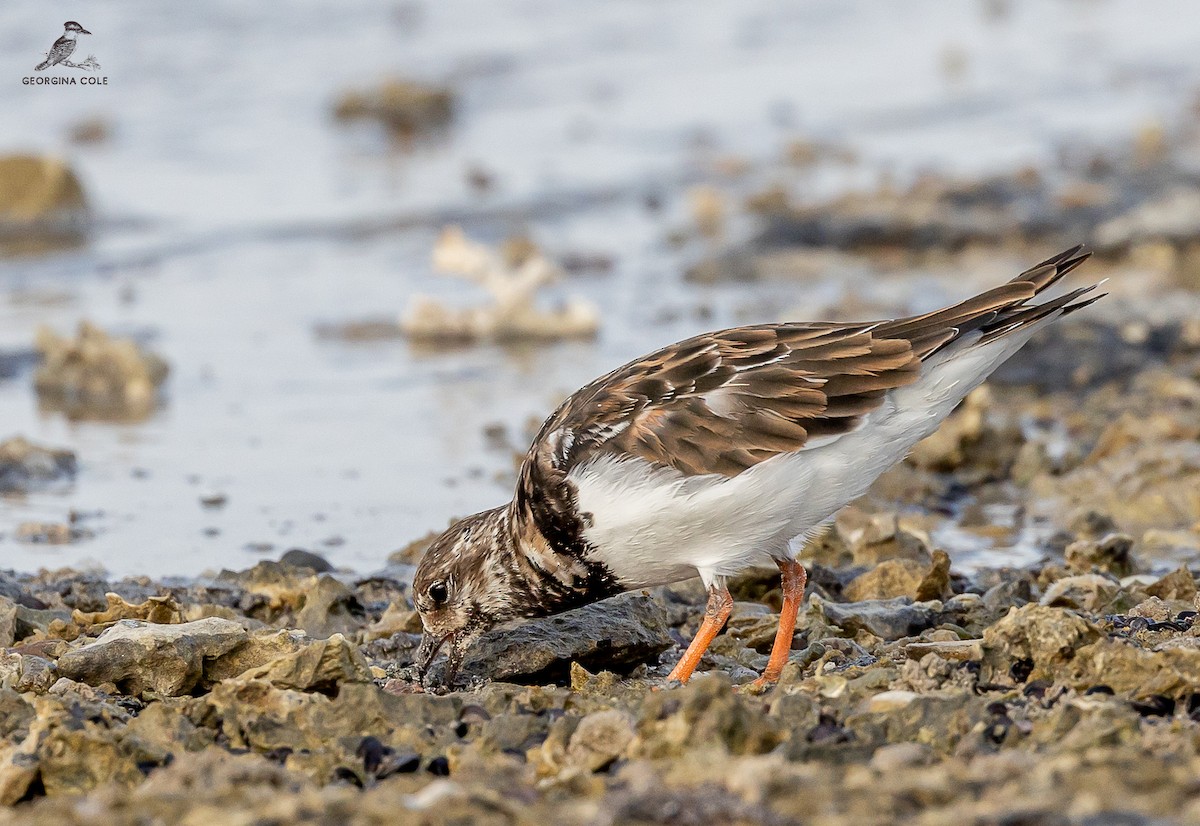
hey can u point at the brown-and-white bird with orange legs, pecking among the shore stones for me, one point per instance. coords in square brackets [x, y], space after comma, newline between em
[716, 454]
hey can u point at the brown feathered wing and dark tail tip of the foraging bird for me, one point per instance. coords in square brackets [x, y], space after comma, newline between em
[722, 403]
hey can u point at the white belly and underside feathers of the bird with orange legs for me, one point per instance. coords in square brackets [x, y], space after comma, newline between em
[652, 525]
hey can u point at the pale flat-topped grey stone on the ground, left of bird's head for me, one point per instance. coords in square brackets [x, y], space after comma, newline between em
[141, 657]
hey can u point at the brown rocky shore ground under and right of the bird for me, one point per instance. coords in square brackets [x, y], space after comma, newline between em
[1065, 692]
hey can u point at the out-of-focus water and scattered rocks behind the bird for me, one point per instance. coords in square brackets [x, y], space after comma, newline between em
[291, 346]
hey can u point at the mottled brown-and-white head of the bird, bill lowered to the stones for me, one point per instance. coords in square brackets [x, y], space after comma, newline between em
[461, 589]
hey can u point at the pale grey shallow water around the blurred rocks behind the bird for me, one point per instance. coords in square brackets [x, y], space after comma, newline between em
[236, 217]
